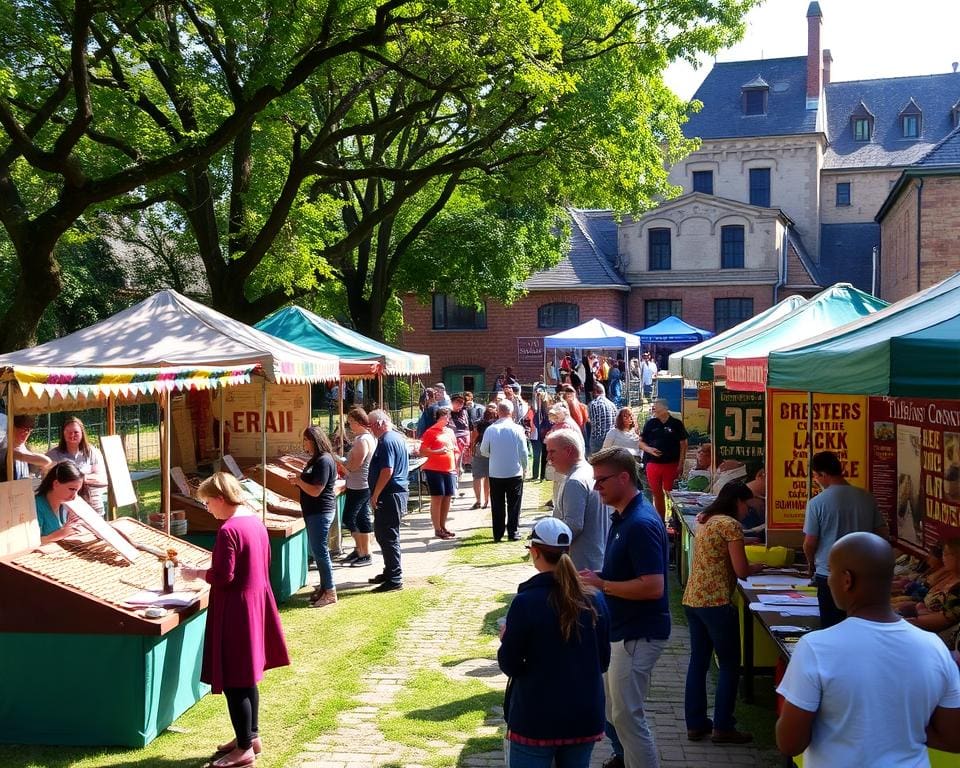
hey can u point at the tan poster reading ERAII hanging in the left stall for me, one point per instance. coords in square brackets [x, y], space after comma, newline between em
[288, 413]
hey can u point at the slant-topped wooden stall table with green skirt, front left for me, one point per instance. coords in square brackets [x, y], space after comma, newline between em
[79, 666]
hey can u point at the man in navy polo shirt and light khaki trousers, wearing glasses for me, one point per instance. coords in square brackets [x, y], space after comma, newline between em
[634, 581]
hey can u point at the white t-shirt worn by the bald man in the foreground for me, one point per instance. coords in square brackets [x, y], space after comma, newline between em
[874, 687]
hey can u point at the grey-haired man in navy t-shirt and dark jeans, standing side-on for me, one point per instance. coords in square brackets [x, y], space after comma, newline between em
[389, 483]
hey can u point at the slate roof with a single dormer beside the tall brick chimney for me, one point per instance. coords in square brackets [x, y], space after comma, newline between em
[722, 113]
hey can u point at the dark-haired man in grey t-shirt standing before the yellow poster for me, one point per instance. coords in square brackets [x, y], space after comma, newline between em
[839, 509]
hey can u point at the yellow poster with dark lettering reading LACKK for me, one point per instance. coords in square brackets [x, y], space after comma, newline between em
[838, 423]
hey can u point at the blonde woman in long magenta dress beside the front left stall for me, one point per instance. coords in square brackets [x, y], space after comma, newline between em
[244, 636]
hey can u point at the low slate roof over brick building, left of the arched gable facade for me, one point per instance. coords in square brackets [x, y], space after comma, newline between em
[589, 262]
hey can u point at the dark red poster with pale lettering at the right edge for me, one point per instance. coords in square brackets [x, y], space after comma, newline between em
[915, 467]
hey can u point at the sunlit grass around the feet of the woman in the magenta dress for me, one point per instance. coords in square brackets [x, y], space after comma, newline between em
[297, 702]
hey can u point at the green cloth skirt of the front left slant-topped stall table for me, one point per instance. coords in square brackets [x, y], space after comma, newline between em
[98, 690]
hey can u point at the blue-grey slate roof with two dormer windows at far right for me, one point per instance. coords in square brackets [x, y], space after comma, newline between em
[935, 95]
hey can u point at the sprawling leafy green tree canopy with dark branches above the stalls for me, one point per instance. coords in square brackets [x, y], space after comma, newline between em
[360, 144]
